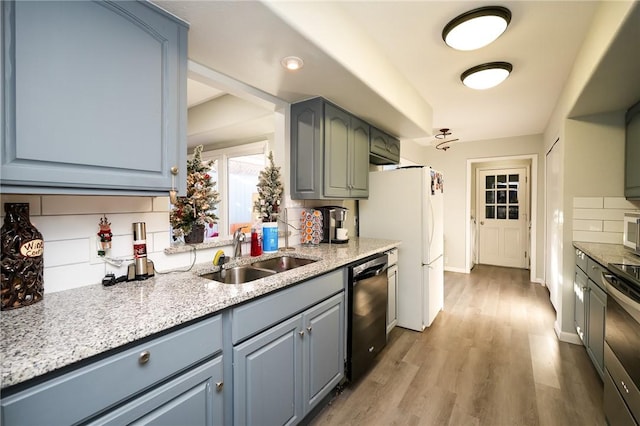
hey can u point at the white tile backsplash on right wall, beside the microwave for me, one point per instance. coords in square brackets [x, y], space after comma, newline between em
[600, 219]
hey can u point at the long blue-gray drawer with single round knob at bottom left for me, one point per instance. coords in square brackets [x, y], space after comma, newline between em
[82, 393]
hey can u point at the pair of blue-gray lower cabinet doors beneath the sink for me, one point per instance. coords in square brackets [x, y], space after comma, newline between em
[282, 373]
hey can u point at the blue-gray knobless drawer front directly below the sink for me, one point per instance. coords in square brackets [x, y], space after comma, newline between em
[249, 319]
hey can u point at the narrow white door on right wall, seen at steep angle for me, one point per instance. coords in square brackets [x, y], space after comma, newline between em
[553, 223]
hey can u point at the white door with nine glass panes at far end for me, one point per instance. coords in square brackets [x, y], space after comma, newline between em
[503, 217]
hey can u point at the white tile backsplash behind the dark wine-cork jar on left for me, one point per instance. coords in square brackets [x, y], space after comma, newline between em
[69, 226]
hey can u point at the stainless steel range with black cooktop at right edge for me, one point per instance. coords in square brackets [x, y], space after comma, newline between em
[622, 345]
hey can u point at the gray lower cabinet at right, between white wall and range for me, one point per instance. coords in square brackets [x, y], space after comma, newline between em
[590, 308]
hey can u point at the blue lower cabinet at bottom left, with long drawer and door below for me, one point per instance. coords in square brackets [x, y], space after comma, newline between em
[173, 379]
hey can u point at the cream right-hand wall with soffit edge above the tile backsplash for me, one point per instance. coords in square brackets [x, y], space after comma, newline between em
[592, 148]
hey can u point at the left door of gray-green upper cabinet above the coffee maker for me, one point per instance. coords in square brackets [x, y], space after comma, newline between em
[337, 127]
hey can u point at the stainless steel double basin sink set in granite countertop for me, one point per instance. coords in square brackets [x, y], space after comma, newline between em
[257, 270]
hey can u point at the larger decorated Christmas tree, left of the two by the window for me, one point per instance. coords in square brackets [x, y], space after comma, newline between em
[197, 208]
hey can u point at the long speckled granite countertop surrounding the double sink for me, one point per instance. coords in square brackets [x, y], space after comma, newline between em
[70, 326]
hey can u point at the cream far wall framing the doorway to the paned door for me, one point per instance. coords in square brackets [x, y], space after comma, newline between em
[453, 164]
